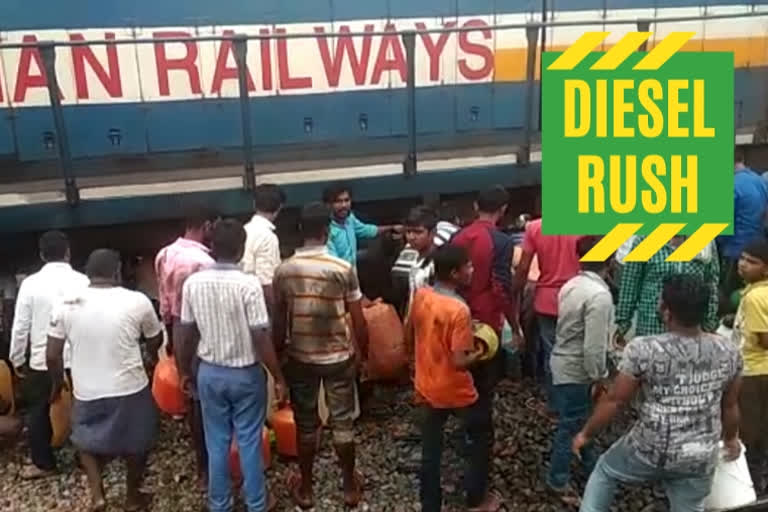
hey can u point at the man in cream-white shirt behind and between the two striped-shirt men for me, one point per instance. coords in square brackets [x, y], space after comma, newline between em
[262, 247]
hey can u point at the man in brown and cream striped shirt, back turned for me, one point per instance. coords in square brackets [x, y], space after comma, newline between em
[313, 293]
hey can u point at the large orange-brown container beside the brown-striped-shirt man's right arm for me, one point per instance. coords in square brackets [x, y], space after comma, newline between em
[387, 353]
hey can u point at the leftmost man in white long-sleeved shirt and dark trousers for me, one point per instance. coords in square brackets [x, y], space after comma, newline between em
[38, 295]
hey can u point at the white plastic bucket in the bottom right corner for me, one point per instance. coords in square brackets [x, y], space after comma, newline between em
[732, 485]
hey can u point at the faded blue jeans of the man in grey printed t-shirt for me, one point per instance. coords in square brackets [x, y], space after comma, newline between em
[686, 492]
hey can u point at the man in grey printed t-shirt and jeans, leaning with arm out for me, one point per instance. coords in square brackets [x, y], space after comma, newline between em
[690, 383]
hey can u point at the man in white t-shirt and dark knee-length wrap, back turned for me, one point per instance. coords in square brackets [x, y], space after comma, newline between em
[113, 414]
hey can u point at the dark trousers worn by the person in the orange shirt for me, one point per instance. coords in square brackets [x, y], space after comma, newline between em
[476, 423]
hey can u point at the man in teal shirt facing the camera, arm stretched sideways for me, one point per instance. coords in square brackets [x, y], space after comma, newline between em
[345, 228]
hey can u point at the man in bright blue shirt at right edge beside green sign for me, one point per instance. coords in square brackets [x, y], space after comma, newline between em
[750, 200]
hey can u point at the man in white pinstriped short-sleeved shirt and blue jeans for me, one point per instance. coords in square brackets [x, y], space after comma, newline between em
[224, 320]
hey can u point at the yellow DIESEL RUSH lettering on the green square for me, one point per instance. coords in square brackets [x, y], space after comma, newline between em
[625, 188]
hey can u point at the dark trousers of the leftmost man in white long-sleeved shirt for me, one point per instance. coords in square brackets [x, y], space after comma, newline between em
[37, 392]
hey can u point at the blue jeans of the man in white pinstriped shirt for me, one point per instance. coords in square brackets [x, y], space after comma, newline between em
[233, 401]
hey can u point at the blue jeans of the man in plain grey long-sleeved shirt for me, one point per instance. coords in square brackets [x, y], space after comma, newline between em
[573, 404]
